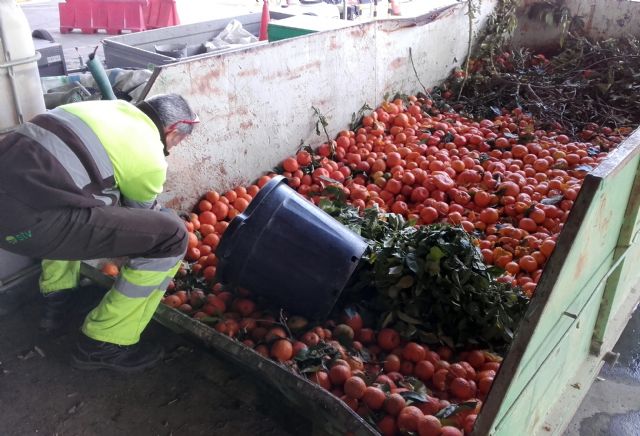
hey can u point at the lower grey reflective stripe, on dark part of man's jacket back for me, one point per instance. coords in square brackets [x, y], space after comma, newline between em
[58, 149]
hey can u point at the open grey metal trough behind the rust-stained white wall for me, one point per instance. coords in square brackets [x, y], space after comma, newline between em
[137, 50]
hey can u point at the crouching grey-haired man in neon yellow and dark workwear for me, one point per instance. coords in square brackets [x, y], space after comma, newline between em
[81, 182]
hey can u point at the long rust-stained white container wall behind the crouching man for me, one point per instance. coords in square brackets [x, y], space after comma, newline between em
[255, 104]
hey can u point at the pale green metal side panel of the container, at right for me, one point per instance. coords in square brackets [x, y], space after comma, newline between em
[548, 349]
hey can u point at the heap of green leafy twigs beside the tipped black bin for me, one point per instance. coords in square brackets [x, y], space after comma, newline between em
[430, 282]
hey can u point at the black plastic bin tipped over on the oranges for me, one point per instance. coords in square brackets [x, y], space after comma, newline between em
[289, 250]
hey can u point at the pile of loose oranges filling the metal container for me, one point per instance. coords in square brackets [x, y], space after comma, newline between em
[507, 182]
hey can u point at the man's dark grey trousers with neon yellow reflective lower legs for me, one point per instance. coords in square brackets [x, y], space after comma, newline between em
[154, 241]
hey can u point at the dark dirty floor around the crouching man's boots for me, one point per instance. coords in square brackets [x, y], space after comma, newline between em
[191, 392]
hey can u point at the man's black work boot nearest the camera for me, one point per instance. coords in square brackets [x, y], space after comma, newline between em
[91, 354]
